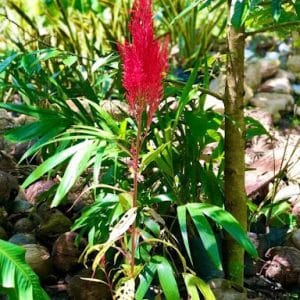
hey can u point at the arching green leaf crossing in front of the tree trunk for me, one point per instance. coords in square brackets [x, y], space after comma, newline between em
[228, 222]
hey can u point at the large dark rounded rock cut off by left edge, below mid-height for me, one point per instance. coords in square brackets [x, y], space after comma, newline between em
[9, 190]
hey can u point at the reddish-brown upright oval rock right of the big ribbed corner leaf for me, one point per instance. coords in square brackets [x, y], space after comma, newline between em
[65, 253]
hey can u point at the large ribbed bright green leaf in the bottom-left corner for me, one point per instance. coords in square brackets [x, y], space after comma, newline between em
[16, 274]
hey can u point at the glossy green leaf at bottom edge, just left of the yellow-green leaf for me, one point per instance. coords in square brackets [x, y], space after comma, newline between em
[166, 278]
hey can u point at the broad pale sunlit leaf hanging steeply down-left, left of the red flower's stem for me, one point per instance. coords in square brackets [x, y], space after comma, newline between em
[75, 168]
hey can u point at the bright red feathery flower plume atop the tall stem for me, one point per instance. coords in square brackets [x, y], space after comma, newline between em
[144, 62]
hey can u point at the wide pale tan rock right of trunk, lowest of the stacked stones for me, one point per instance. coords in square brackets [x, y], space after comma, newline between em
[272, 102]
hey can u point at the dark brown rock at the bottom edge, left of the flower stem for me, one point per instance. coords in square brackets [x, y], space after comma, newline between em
[80, 288]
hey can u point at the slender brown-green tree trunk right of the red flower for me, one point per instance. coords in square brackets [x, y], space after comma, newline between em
[235, 197]
